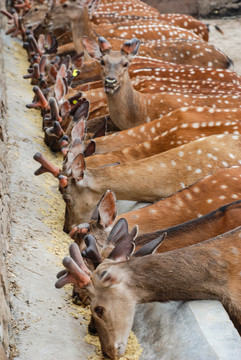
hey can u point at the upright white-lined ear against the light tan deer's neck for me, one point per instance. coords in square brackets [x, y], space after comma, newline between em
[107, 209]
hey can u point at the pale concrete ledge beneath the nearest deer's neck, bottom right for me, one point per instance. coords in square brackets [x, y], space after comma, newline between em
[195, 330]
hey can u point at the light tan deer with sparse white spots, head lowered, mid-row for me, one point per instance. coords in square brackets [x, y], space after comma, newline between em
[147, 179]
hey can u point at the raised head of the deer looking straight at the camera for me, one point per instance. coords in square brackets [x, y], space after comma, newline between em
[114, 64]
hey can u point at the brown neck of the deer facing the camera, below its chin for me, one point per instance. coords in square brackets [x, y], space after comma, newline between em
[126, 106]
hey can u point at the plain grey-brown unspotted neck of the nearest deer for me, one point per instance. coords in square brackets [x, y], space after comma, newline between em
[193, 273]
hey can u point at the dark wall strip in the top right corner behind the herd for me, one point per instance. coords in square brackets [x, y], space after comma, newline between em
[198, 7]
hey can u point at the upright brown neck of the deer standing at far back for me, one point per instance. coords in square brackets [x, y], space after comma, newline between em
[81, 27]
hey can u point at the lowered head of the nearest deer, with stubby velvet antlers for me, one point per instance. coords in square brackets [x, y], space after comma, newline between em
[106, 287]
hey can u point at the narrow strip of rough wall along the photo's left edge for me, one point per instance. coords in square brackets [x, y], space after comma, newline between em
[4, 217]
